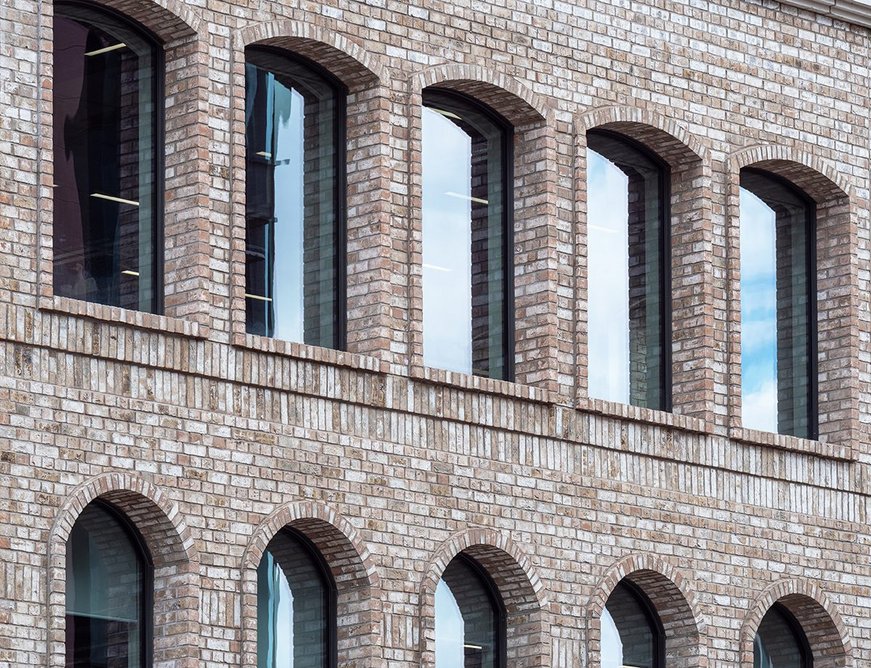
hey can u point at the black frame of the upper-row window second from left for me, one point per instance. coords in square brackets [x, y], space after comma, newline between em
[340, 203]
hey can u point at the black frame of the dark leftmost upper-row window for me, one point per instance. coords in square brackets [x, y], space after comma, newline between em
[158, 131]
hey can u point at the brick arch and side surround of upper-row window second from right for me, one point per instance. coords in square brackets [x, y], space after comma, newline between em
[694, 330]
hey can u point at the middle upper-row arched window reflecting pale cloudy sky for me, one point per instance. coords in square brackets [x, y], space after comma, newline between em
[467, 267]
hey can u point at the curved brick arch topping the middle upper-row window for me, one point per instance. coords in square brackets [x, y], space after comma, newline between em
[501, 92]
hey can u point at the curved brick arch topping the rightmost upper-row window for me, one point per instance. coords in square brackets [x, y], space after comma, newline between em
[816, 177]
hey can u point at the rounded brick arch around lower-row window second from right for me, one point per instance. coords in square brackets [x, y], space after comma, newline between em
[672, 596]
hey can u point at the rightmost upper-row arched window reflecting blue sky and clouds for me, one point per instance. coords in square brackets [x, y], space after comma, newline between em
[778, 306]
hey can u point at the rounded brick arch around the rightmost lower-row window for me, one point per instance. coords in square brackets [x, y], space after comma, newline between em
[827, 635]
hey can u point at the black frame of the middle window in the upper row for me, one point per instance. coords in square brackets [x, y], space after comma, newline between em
[457, 98]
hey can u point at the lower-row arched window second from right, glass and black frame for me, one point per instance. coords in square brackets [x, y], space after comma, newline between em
[632, 634]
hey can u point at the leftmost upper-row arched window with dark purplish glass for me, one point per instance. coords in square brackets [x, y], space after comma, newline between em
[107, 166]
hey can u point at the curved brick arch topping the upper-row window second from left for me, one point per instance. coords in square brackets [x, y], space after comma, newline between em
[344, 58]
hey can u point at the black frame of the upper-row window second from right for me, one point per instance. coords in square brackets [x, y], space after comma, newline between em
[664, 248]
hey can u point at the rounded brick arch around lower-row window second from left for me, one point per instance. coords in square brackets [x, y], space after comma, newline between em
[353, 570]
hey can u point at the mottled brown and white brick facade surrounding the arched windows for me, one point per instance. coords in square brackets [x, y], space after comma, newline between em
[210, 439]
